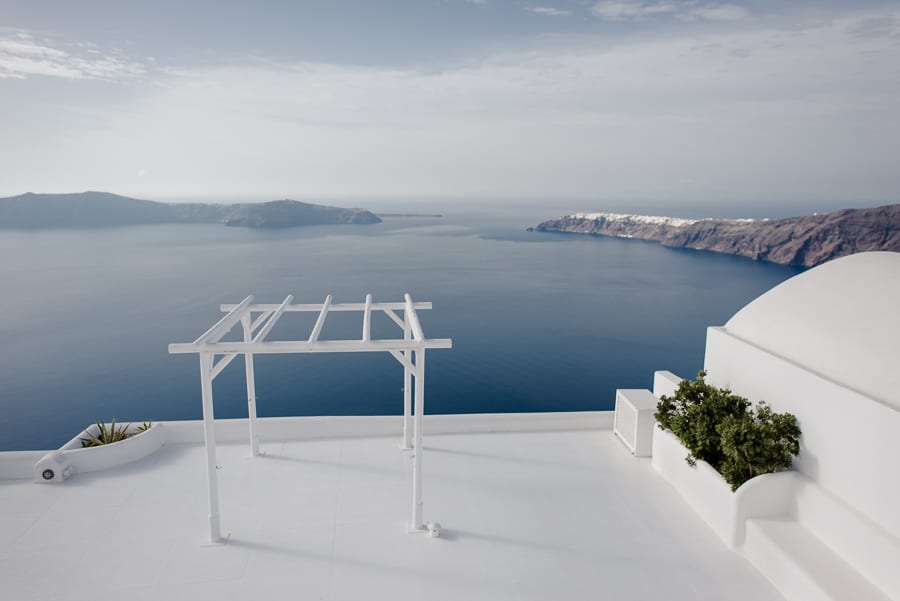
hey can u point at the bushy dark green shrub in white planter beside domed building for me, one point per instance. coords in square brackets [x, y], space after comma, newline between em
[722, 429]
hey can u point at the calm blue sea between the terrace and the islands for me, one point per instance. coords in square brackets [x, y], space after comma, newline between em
[539, 322]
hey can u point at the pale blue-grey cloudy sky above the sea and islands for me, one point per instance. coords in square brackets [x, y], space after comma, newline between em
[645, 100]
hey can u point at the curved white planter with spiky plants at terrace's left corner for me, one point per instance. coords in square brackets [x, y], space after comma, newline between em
[73, 458]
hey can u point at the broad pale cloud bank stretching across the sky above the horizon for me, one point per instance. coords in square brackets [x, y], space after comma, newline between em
[721, 115]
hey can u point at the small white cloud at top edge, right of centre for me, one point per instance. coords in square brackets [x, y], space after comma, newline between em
[634, 10]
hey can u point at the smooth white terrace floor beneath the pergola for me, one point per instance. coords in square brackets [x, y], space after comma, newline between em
[526, 515]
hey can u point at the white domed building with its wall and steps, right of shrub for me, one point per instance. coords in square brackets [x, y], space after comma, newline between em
[823, 347]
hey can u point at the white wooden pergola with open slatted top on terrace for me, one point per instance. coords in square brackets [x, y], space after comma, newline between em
[257, 321]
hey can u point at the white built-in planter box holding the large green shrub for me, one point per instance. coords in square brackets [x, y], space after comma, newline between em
[707, 492]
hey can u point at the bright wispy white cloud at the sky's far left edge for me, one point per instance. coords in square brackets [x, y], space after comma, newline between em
[21, 57]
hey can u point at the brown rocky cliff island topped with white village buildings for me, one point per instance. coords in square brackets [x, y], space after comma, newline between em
[802, 241]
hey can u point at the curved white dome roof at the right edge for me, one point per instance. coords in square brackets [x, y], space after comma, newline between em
[840, 320]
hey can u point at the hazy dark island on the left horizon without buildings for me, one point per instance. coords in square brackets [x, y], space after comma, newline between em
[104, 209]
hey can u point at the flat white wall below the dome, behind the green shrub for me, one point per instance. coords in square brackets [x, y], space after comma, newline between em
[850, 443]
